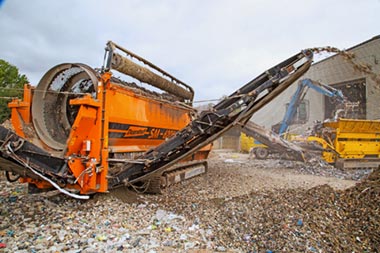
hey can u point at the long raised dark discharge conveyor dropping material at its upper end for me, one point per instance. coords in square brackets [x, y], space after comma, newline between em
[209, 125]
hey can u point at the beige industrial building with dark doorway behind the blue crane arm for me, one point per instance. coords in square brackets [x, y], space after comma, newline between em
[358, 78]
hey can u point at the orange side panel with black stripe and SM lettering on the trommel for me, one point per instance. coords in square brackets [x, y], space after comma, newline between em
[139, 121]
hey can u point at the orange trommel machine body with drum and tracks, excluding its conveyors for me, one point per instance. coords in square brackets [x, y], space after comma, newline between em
[97, 122]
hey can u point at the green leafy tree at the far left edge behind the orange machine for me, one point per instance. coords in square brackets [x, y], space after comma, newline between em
[11, 85]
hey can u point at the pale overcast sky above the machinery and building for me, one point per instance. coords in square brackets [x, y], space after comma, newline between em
[214, 46]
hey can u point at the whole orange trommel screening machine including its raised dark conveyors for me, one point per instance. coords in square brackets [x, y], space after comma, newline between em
[82, 130]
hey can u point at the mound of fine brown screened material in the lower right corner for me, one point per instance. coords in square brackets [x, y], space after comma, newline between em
[319, 219]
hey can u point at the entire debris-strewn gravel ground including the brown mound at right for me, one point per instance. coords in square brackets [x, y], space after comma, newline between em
[240, 205]
